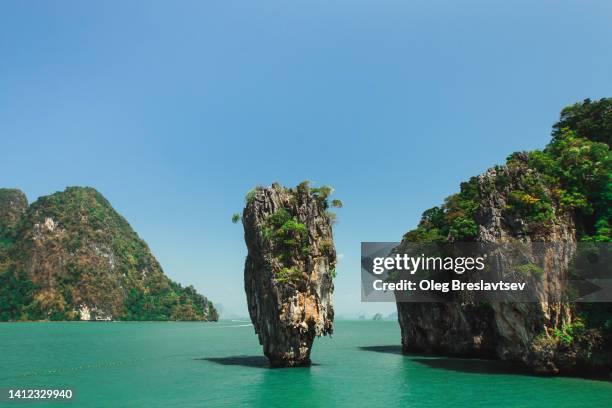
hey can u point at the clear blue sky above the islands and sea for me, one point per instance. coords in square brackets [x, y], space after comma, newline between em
[174, 110]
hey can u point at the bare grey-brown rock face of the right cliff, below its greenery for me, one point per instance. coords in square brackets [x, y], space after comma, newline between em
[518, 332]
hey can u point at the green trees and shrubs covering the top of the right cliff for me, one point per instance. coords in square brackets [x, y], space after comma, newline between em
[573, 173]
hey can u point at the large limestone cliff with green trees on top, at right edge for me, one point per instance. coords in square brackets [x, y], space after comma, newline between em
[559, 196]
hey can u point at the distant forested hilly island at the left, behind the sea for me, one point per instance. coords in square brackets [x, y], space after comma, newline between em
[71, 256]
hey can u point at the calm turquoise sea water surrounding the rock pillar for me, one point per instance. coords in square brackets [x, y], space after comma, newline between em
[220, 364]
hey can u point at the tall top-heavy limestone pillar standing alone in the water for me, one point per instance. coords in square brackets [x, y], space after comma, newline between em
[288, 271]
